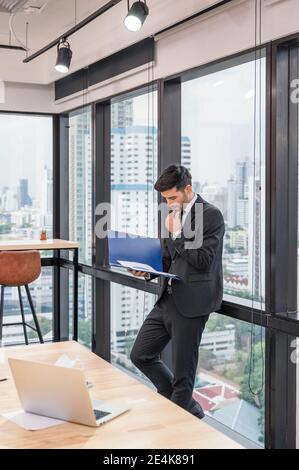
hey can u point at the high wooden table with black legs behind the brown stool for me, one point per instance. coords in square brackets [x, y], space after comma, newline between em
[57, 245]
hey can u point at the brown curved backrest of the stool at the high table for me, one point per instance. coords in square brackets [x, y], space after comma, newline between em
[18, 268]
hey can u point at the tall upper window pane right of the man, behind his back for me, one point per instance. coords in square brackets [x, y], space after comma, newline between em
[222, 132]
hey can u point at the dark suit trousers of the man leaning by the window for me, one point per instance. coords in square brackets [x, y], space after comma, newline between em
[163, 323]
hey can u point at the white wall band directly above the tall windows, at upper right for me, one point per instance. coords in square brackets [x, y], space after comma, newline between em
[227, 30]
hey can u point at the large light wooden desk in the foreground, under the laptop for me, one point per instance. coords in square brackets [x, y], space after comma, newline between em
[152, 422]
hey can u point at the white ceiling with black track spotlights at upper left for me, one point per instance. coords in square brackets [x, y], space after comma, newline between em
[48, 19]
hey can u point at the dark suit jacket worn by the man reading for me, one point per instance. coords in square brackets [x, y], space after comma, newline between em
[200, 288]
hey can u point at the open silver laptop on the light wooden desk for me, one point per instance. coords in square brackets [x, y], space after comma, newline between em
[61, 393]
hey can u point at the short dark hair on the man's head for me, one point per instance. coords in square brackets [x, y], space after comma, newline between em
[173, 176]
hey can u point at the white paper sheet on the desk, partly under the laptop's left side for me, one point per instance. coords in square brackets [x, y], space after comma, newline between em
[30, 421]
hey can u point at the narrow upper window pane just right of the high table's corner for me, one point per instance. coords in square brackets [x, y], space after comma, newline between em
[80, 182]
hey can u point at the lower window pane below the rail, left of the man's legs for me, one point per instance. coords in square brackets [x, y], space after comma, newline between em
[129, 308]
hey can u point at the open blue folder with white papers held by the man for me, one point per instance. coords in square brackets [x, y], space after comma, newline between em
[135, 252]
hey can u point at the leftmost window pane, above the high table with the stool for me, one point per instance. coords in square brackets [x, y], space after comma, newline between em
[26, 176]
